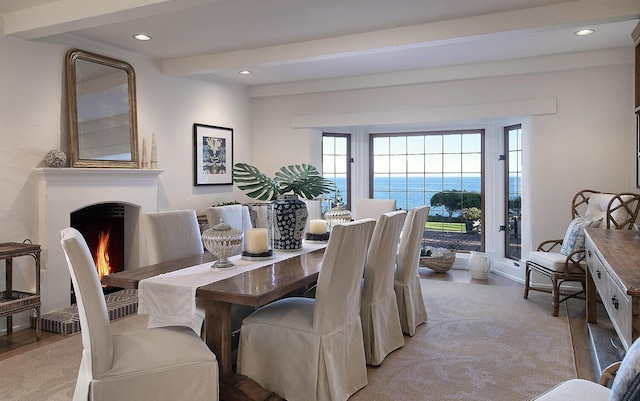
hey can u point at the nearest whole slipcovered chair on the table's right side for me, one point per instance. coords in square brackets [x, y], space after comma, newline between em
[307, 349]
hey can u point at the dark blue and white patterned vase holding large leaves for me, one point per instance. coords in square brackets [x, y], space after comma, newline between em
[291, 217]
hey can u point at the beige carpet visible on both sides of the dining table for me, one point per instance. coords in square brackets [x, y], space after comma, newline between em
[480, 343]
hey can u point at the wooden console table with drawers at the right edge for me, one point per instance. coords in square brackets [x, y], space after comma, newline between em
[613, 259]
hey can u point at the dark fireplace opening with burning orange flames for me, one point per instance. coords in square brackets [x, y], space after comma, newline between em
[103, 227]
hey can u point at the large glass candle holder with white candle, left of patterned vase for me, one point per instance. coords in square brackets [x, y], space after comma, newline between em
[258, 240]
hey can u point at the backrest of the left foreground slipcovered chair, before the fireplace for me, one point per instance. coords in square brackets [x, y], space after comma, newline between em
[97, 345]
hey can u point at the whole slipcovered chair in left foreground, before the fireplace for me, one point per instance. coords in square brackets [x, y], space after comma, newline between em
[170, 363]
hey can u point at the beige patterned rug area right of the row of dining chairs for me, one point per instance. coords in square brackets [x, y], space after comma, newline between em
[480, 343]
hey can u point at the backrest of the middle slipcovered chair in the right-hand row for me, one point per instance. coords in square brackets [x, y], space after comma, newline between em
[381, 257]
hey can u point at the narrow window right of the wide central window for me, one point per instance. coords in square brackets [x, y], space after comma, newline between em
[513, 184]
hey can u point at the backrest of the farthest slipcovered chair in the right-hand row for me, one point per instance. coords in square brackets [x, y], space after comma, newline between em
[410, 244]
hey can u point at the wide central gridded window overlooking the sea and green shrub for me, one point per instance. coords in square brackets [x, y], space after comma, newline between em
[441, 169]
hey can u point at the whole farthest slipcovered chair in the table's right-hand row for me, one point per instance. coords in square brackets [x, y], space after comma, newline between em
[407, 282]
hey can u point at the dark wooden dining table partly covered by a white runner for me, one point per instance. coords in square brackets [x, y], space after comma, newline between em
[256, 287]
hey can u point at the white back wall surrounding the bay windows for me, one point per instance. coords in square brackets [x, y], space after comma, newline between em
[587, 141]
